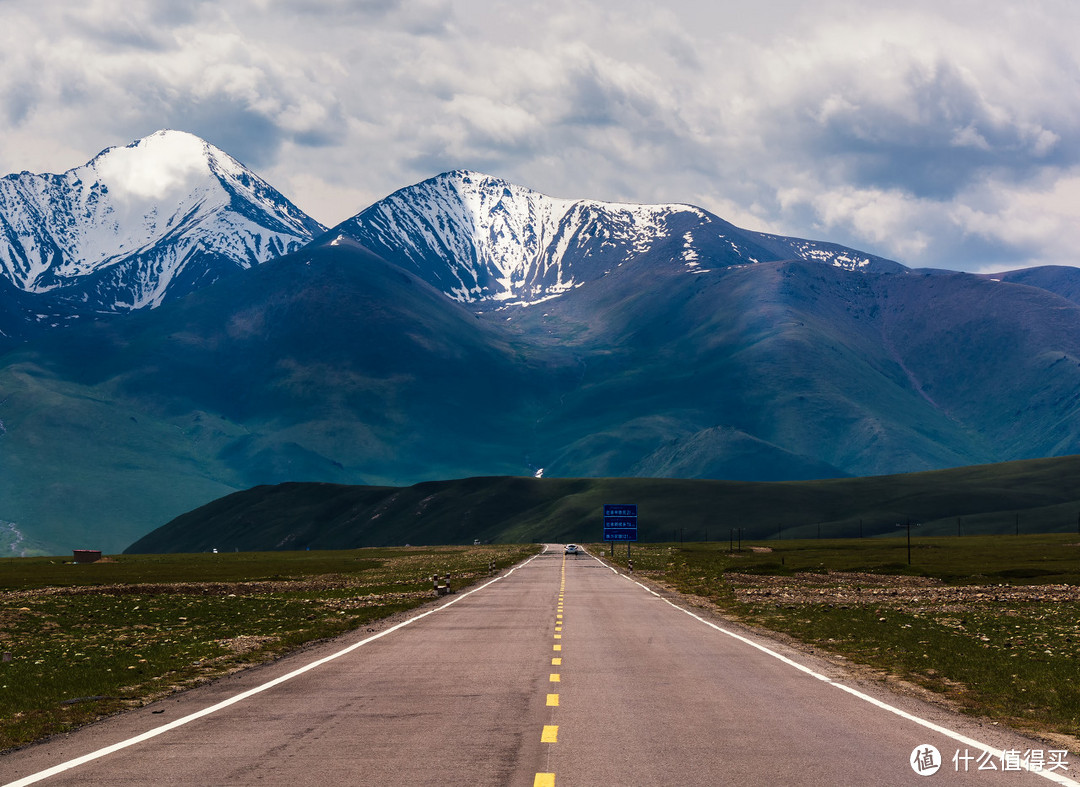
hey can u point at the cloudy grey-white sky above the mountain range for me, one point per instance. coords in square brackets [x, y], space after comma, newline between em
[939, 133]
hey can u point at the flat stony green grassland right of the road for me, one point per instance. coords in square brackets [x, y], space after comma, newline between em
[990, 625]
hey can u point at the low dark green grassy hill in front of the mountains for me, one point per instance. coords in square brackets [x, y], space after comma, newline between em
[1036, 496]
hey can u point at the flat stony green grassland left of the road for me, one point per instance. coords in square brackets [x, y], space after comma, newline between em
[80, 642]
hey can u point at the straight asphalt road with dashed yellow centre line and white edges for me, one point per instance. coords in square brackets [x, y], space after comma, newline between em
[560, 673]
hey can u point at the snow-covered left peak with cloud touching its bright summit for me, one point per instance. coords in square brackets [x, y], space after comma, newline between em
[141, 223]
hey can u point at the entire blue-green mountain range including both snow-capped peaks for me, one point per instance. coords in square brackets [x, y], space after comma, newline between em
[467, 327]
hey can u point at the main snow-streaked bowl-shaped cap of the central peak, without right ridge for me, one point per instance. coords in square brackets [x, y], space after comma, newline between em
[483, 239]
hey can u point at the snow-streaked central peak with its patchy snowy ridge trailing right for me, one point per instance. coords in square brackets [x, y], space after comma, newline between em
[487, 241]
